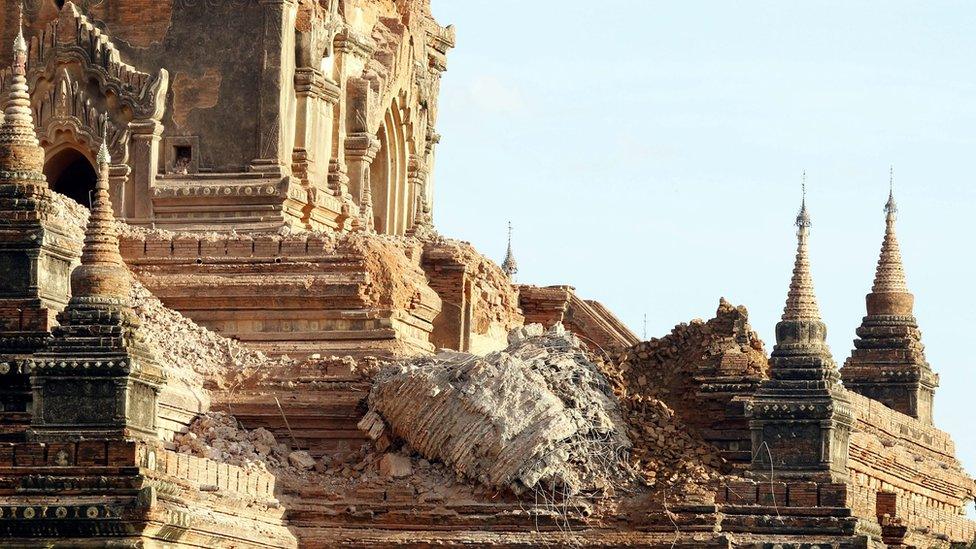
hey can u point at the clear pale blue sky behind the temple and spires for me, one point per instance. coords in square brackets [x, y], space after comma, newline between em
[649, 153]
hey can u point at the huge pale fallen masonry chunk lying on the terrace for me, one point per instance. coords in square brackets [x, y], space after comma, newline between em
[538, 416]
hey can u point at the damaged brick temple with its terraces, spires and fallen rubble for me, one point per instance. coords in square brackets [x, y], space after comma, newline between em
[227, 320]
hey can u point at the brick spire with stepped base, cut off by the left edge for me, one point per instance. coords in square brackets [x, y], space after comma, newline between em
[36, 248]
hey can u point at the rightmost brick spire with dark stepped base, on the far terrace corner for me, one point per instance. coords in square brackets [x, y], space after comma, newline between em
[888, 362]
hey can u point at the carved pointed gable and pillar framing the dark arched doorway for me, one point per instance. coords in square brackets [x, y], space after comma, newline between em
[81, 90]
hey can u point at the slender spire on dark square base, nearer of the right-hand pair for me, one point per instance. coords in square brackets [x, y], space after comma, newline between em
[801, 418]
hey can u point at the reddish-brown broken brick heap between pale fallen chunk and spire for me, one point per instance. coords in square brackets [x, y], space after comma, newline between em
[657, 383]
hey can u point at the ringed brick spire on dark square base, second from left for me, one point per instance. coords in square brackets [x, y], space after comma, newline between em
[98, 379]
